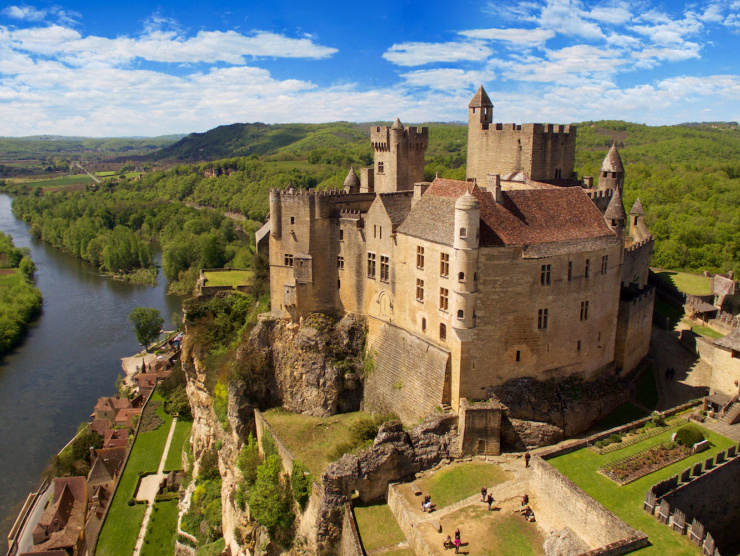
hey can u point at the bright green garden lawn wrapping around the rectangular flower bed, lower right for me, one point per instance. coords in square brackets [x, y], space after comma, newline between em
[626, 501]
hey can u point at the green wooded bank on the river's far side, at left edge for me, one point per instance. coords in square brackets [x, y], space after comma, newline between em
[20, 302]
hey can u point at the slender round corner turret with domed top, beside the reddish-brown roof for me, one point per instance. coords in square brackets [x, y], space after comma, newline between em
[465, 266]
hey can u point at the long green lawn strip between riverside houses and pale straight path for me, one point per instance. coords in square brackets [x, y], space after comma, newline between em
[122, 525]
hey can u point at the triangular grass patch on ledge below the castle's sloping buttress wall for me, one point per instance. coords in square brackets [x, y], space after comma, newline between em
[311, 439]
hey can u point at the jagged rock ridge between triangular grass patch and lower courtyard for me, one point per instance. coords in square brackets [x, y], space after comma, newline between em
[396, 454]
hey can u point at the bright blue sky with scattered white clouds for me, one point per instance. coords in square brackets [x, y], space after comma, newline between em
[139, 68]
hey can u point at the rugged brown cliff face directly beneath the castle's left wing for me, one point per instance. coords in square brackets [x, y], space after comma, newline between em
[316, 364]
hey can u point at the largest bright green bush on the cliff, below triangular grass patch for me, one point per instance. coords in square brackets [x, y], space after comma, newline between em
[270, 500]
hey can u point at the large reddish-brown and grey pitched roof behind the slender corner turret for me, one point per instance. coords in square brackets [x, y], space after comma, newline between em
[525, 218]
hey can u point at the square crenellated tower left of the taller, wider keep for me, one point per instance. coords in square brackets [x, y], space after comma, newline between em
[399, 156]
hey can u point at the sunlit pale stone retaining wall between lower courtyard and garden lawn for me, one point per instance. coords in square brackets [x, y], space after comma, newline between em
[603, 531]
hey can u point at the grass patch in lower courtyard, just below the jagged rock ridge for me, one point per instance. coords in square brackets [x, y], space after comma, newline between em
[457, 482]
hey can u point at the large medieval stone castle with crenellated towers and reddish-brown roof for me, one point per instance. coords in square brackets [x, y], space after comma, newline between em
[520, 271]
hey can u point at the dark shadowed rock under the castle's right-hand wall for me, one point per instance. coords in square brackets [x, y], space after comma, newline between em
[540, 413]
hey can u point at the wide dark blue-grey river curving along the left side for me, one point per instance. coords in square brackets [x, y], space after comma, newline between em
[70, 357]
